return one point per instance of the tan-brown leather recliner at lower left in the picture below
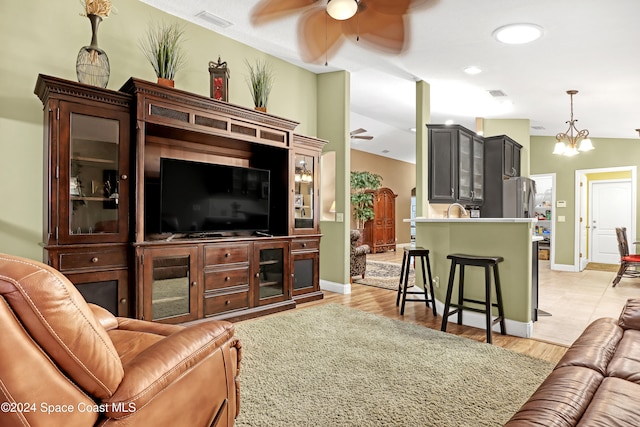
(64, 362)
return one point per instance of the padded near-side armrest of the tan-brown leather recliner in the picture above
(154, 370)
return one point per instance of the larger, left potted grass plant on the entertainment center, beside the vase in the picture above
(163, 49)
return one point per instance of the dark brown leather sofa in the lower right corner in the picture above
(596, 383)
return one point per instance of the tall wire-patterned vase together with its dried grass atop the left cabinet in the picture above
(92, 63)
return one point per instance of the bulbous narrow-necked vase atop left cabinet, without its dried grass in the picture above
(92, 64)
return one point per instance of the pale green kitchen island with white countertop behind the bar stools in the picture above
(510, 238)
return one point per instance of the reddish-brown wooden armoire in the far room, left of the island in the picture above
(380, 232)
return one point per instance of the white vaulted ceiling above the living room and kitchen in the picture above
(588, 45)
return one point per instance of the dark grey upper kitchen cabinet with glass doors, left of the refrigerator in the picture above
(456, 165)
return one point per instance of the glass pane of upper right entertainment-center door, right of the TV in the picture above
(303, 202)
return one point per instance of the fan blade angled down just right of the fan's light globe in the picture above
(380, 31)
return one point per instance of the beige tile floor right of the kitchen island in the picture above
(576, 299)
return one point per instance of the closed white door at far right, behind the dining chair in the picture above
(610, 208)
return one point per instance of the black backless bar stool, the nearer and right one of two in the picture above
(478, 261)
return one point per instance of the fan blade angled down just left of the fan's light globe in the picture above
(319, 35)
